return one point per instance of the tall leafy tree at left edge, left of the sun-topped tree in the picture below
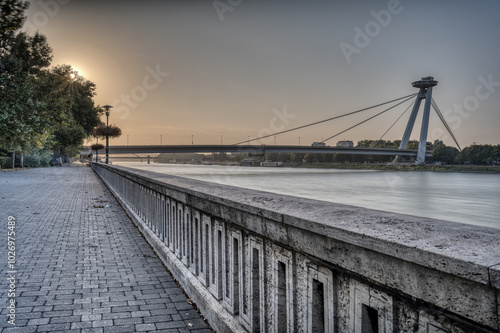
(26, 119)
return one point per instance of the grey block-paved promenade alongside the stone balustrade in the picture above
(81, 264)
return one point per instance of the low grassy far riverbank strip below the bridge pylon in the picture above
(401, 167)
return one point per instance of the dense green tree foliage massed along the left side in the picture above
(39, 107)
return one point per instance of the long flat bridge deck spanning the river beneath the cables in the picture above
(141, 151)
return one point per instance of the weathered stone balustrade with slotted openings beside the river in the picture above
(261, 262)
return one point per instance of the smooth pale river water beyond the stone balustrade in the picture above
(458, 197)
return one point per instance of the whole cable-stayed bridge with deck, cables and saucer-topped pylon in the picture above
(424, 85)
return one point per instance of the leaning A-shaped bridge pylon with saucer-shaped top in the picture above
(425, 85)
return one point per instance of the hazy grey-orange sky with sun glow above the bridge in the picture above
(240, 68)
